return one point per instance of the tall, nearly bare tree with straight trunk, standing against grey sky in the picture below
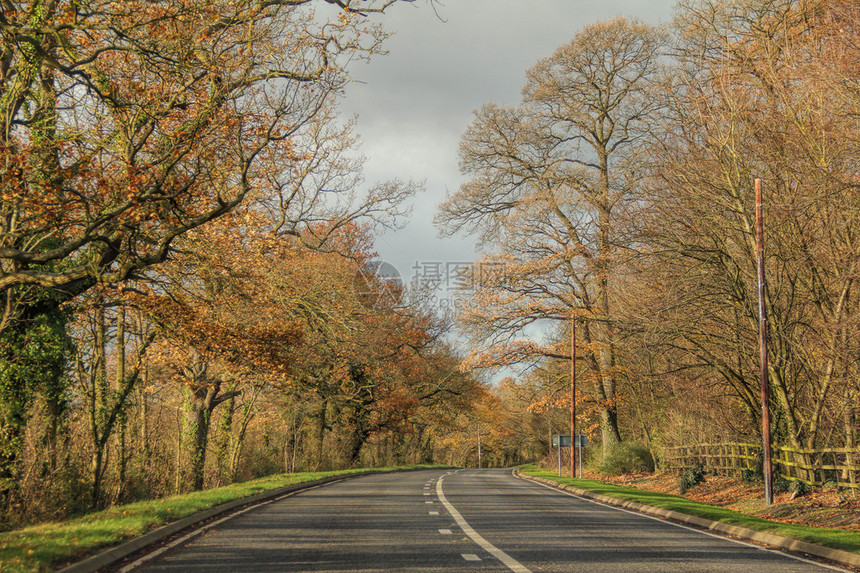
(553, 187)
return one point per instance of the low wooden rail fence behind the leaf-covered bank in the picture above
(812, 466)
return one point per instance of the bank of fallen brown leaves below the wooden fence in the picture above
(818, 508)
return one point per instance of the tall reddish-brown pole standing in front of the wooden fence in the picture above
(767, 464)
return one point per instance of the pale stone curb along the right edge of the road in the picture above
(770, 539)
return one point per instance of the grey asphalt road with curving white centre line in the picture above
(456, 521)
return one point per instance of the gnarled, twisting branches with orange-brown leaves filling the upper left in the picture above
(124, 125)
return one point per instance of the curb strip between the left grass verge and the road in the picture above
(111, 556)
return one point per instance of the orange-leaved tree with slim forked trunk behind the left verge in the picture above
(232, 309)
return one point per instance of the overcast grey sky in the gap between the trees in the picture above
(414, 103)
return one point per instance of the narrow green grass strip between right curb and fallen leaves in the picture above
(835, 538)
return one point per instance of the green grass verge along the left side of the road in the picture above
(47, 546)
